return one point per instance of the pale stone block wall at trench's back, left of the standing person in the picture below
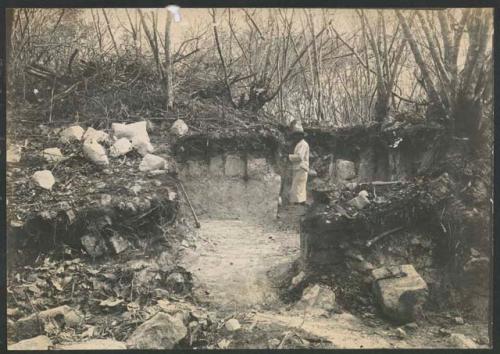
(229, 186)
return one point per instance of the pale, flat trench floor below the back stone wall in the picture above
(232, 259)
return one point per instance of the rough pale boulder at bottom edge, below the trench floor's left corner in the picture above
(162, 331)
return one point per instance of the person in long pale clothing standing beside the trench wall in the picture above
(300, 166)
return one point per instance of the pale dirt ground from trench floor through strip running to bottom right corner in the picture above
(232, 262)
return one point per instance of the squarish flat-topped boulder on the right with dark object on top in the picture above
(400, 292)
